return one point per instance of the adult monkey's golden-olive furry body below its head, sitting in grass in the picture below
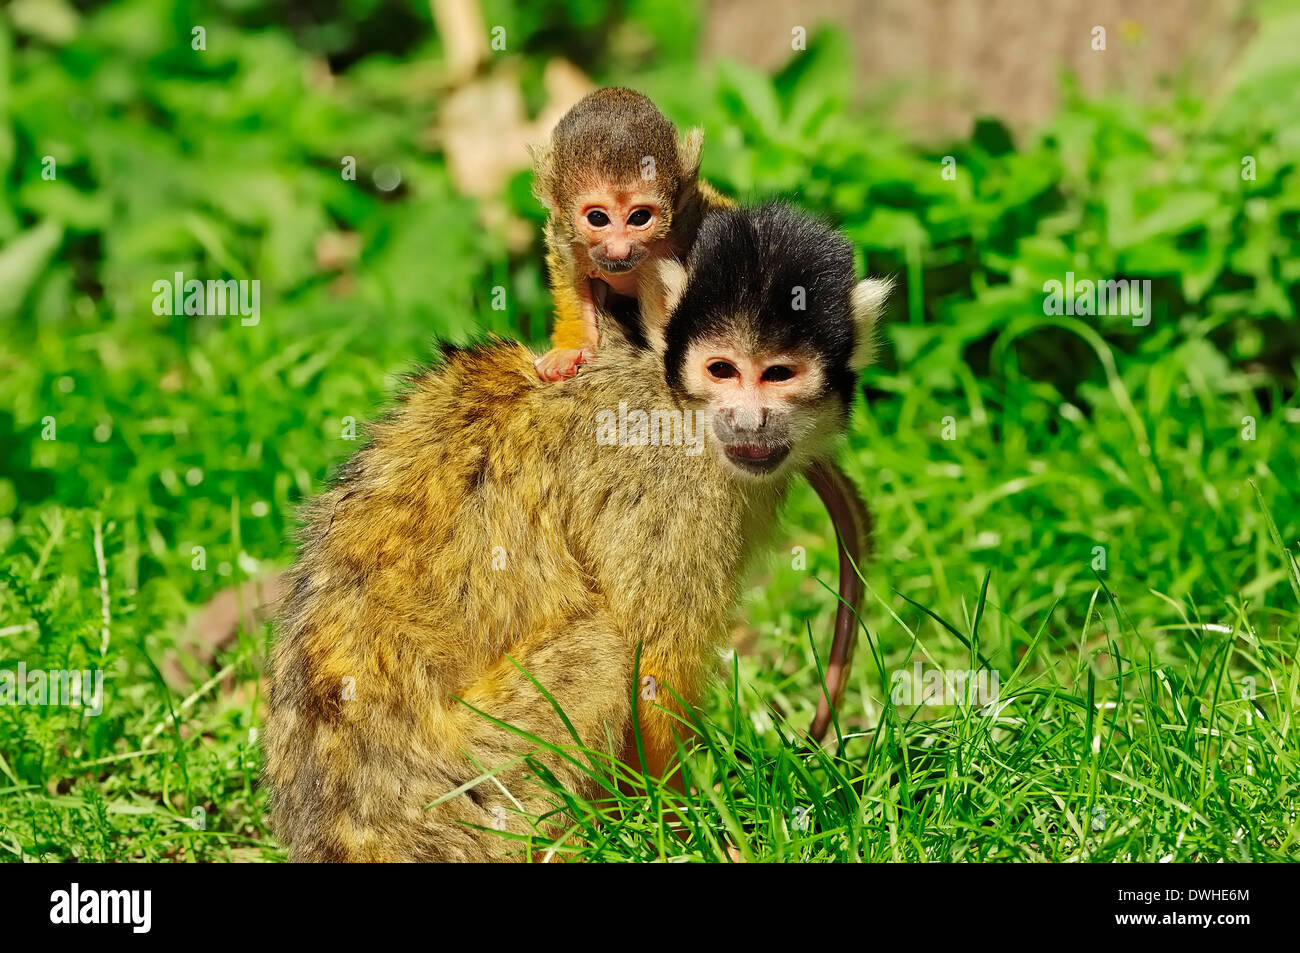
(484, 523)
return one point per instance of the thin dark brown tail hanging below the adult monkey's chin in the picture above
(852, 521)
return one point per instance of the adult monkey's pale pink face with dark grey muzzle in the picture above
(766, 409)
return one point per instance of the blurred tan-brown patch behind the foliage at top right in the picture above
(938, 64)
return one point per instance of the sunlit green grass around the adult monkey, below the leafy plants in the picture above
(1123, 691)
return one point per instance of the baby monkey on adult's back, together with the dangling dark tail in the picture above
(625, 193)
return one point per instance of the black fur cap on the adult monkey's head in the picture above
(769, 275)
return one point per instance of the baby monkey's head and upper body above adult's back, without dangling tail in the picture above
(623, 192)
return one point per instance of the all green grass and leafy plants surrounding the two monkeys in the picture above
(149, 462)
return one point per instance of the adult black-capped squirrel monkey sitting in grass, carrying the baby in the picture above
(461, 568)
